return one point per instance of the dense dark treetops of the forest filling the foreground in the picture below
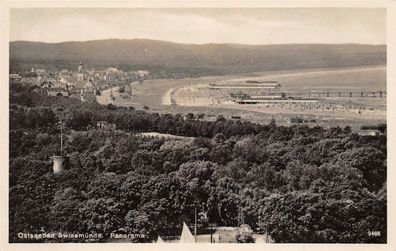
(298, 184)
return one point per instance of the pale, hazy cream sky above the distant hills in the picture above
(202, 26)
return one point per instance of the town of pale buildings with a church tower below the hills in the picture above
(83, 83)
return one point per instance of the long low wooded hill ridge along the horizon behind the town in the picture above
(215, 58)
